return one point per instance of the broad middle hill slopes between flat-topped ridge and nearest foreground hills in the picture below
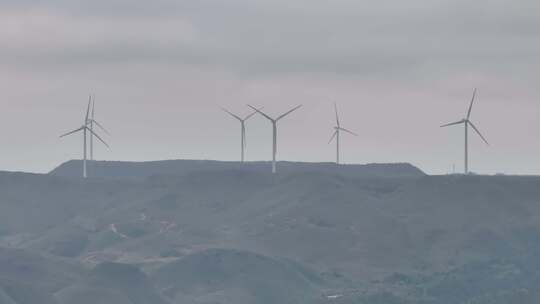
(361, 226)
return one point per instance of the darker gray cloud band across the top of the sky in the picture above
(259, 36)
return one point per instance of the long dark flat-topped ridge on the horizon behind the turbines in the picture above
(142, 170)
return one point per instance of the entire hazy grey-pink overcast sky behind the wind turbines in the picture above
(161, 69)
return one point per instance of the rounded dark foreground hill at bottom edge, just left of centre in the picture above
(232, 276)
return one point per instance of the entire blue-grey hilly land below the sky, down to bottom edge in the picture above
(222, 234)
